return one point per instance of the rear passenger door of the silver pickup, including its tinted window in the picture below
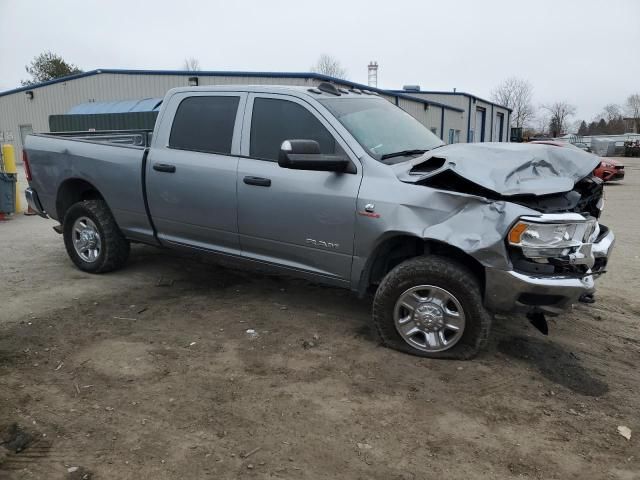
(191, 170)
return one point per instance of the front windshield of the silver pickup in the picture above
(380, 127)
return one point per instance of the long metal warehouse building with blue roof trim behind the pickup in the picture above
(453, 117)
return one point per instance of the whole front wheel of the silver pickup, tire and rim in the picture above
(432, 307)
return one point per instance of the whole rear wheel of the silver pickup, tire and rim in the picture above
(92, 238)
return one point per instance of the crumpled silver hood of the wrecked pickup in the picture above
(504, 168)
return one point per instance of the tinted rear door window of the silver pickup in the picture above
(204, 124)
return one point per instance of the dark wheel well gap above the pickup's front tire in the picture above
(396, 250)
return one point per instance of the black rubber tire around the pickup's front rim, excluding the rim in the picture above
(440, 272)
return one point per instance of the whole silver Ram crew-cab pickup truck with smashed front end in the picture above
(341, 187)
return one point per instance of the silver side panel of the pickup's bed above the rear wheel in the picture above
(111, 162)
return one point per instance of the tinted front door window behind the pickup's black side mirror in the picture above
(274, 121)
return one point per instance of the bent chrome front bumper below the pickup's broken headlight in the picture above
(510, 291)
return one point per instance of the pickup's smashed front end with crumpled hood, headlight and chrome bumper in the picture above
(554, 253)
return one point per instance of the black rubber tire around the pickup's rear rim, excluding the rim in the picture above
(114, 250)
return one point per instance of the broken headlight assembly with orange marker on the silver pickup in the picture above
(555, 236)
